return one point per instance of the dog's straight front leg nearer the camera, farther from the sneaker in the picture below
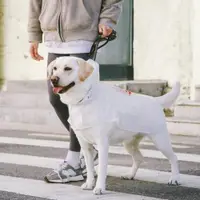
(103, 147)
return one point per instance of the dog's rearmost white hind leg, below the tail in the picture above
(163, 143)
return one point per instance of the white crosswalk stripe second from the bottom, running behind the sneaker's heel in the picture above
(118, 171)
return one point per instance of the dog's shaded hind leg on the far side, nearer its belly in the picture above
(132, 148)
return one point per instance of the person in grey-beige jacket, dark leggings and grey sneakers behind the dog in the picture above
(69, 28)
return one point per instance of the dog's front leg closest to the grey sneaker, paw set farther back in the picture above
(87, 150)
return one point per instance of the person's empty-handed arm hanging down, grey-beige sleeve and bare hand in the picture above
(34, 29)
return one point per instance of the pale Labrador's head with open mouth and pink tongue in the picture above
(65, 72)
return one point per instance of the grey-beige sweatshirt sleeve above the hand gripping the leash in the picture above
(110, 12)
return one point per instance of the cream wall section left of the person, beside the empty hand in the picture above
(18, 64)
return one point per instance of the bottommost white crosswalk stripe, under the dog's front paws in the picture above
(58, 192)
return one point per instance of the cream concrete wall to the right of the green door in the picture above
(166, 44)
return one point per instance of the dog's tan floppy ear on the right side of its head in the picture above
(85, 69)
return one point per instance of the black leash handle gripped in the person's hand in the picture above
(95, 46)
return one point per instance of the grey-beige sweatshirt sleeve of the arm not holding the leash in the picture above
(34, 29)
